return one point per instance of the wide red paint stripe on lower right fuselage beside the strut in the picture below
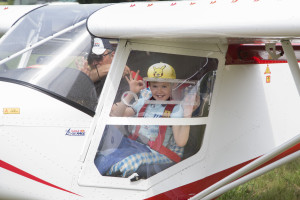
(189, 190)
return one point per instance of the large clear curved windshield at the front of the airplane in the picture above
(45, 50)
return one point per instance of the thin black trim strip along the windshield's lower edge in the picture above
(52, 94)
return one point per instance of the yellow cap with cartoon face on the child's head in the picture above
(161, 70)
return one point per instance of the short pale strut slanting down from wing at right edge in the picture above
(293, 63)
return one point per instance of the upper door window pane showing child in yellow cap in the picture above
(166, 79)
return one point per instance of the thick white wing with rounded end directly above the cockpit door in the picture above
(230, 20)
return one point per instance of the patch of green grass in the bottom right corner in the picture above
(282, 183)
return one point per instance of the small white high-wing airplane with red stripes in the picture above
(239, 58)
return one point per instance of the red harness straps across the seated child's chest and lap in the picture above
(157, 145)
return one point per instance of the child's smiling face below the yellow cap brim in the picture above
(161, 90)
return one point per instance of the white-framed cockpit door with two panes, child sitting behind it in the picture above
(196, 67)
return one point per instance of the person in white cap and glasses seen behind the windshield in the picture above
(99, 61)
